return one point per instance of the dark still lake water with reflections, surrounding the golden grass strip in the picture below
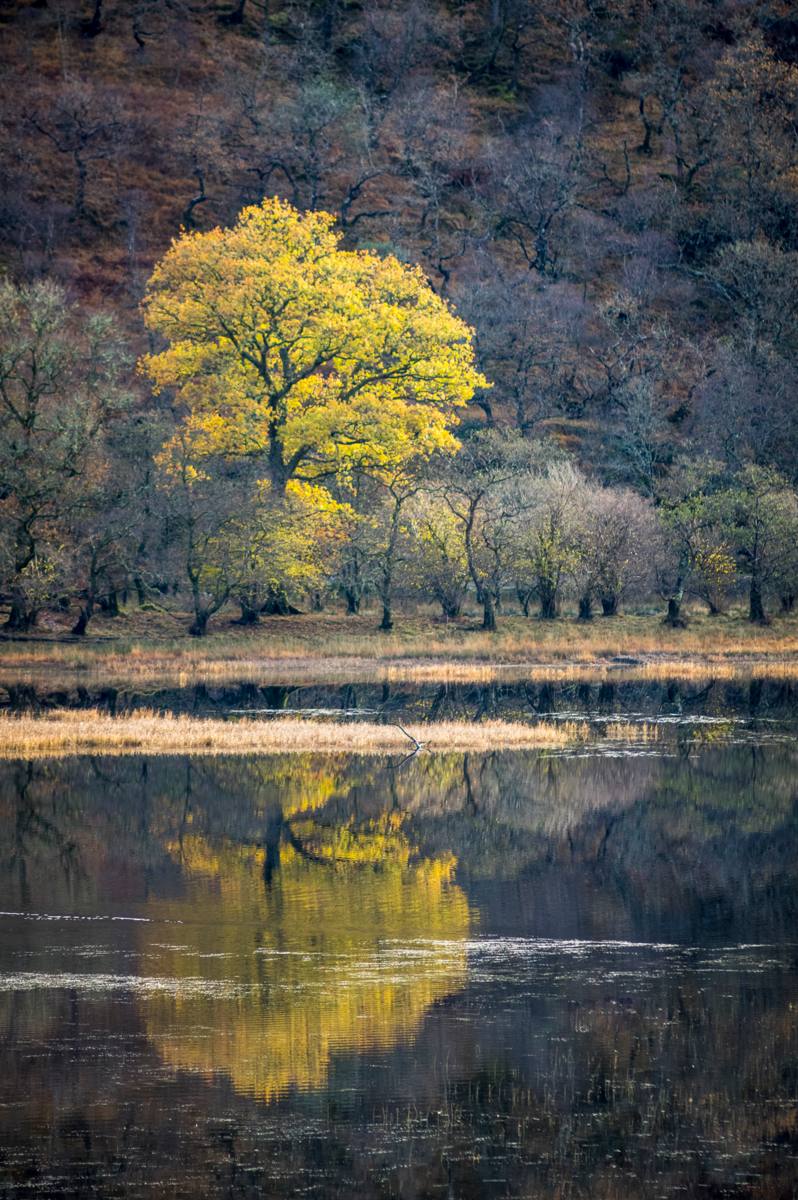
(511, 975)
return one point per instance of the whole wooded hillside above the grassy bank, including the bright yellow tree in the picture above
(603, 201)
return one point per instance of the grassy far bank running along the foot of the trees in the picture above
(147, 647)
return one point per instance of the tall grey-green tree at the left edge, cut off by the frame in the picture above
(61, 391)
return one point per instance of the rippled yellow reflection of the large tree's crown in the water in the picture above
(334, 957)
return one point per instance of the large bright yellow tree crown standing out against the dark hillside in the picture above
(313, 359)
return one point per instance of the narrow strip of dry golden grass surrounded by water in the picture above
(65, 733)
